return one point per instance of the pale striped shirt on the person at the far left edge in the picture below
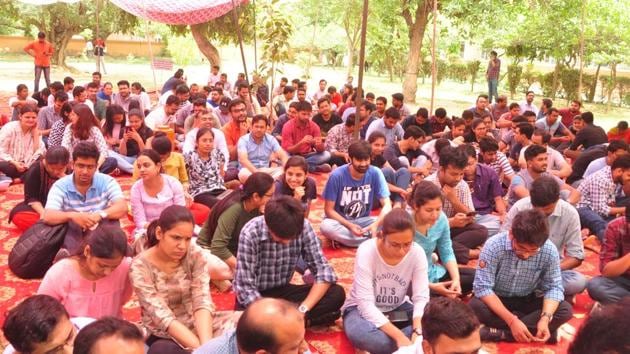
(15, 145)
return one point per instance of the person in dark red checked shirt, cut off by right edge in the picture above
(614, 263)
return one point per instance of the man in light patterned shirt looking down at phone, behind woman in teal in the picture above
(467, 235)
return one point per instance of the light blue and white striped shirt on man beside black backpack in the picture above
(64, 196)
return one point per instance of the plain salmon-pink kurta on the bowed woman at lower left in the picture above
(86, 298)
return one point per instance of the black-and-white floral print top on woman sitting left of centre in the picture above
(204, 175)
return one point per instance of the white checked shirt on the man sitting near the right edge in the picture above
(598, 192)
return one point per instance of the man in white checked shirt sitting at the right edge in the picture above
(597, 206)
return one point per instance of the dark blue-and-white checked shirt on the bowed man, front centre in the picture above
(263, 263)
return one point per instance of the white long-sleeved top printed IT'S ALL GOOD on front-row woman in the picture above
(379, 287)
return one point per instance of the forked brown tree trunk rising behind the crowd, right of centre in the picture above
(416, 34)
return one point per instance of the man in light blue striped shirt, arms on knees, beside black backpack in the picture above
(84, 198)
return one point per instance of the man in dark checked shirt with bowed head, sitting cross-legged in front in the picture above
(269, 249)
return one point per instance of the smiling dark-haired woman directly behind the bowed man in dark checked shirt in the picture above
(296, 183)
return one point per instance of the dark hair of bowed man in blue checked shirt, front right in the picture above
(530, 227)
